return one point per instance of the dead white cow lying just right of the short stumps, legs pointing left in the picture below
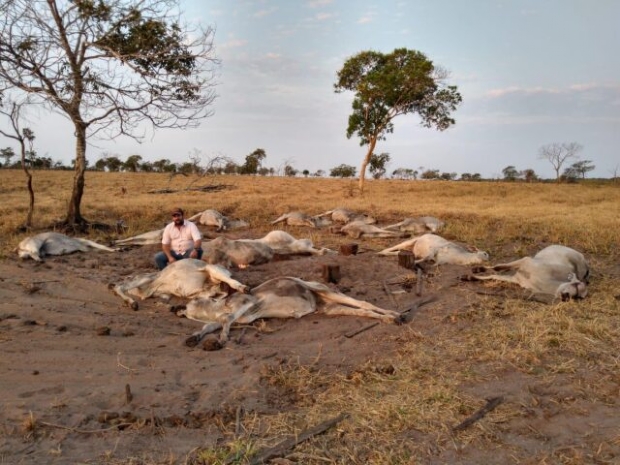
(432, 248)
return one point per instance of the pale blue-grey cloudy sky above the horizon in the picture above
(531, 72)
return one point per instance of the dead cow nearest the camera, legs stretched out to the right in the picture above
(284, 297)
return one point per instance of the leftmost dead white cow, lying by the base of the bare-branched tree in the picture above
(52, 243)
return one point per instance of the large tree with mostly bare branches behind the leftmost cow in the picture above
(108, 66)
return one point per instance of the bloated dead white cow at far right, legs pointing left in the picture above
(557, 271)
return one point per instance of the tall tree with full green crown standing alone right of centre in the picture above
(388, 85)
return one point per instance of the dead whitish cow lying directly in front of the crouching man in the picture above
(184, 278)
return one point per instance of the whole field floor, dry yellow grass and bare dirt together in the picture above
(554, 368)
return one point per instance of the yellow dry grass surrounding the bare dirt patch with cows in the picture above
(402, 410)
